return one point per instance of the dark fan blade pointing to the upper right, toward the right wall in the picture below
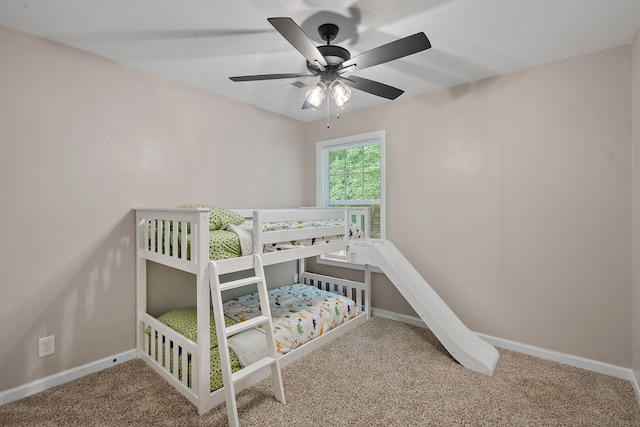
(388, 52)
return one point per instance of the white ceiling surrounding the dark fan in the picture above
(203, 42)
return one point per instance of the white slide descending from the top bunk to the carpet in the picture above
(465, 346)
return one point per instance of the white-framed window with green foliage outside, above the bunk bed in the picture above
(350, 171)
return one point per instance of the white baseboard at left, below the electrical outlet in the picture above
(64, 377)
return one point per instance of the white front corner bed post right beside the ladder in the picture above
(202, 373)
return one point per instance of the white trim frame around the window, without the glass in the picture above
(322, 179)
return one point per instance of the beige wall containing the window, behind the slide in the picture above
(512, 197)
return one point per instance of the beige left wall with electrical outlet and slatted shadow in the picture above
(84, 140)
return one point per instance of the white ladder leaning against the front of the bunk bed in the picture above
(223, 332)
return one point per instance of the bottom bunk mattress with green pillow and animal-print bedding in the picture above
(299, 313)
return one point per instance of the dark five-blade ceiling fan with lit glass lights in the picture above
(333, 64)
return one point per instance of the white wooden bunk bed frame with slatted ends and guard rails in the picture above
(179, 238)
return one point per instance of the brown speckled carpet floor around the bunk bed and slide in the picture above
(384, 373)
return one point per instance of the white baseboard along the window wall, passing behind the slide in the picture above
(567, 359)
